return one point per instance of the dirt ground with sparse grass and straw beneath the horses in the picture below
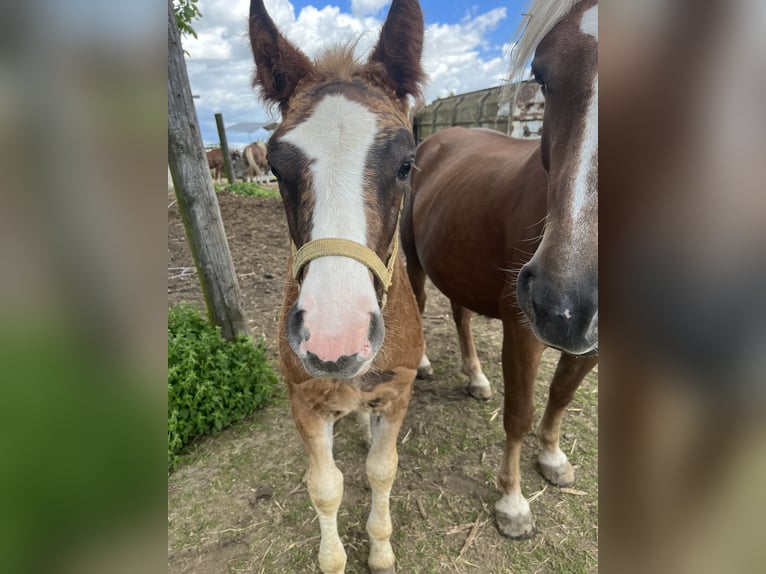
(237, 503)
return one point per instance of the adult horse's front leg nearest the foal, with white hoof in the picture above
(521, 358)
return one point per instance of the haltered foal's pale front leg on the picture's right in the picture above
(382, 461)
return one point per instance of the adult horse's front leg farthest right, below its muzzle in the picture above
(553, 463)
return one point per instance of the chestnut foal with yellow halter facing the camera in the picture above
(351, 336)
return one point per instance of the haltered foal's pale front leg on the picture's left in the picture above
(325, 484)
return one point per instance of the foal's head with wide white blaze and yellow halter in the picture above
(342, 156)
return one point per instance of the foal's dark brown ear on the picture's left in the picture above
(279, 65)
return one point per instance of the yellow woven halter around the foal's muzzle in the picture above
(335, 246)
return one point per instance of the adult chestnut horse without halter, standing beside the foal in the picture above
(479, 204)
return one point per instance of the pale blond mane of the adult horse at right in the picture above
(537, 21)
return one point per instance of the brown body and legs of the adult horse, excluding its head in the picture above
(473, 218)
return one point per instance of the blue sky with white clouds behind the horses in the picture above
(465, 49)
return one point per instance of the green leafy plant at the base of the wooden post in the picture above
(211, 382)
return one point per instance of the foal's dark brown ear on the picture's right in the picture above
(400, 47)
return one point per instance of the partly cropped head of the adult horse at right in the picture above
(558, 288)
